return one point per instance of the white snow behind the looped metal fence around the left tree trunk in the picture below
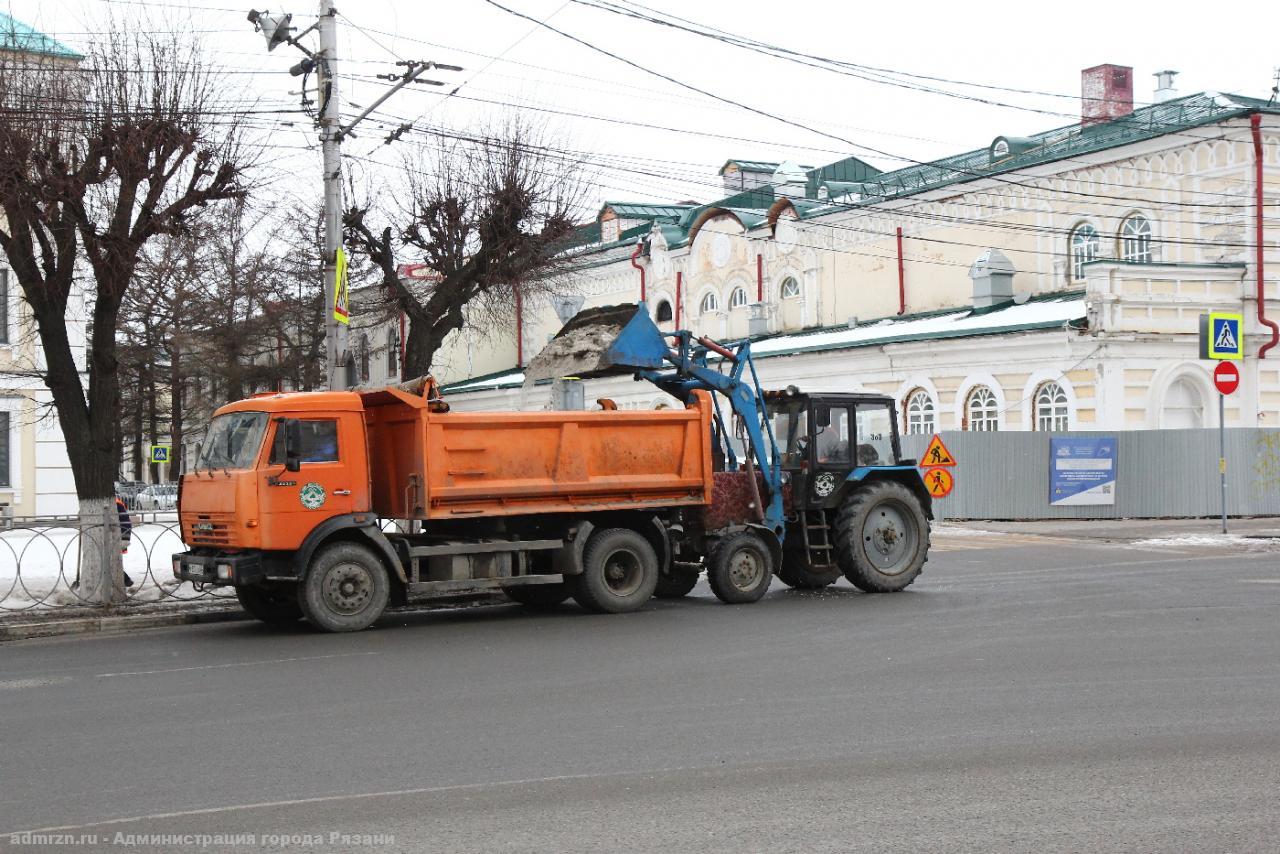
(39, 565)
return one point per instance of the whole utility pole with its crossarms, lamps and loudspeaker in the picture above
(278, 31)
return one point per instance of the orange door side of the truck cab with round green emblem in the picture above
(332, 479)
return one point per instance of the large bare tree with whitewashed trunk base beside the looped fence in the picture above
(95, 162)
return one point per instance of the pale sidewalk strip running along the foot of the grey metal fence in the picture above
(1126, 531)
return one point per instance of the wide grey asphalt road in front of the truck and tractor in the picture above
(1027, 695)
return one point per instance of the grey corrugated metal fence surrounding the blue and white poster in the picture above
(1158, 474)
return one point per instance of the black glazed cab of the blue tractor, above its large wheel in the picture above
(829, 440)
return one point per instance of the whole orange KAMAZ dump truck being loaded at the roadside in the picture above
(290, 499)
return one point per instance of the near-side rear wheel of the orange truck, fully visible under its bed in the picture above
(620, 572)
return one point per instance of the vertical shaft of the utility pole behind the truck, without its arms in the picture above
(331, 148)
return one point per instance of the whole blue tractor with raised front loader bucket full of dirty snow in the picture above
(810, 486)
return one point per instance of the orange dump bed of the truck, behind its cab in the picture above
(459, 465)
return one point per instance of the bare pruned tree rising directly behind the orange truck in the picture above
(490, 214)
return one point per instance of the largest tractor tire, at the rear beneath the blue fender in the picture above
(883, 538)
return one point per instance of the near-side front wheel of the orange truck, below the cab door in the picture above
(346, 588)
